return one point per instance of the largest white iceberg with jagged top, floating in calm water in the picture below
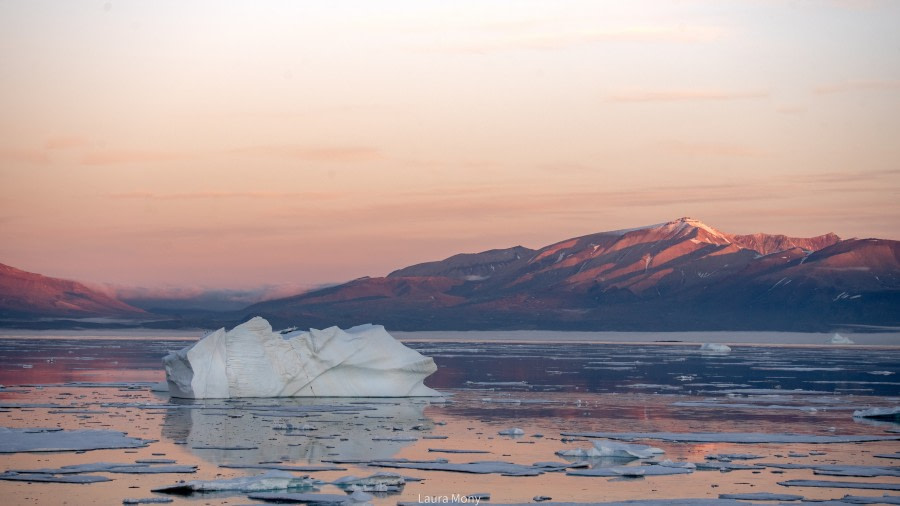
(253, 361)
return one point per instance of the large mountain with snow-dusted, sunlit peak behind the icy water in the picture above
(680, 275)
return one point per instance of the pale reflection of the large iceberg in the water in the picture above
(296, 430)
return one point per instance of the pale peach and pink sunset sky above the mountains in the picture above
(183, 145)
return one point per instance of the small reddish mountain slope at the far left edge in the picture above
(26, 295)
